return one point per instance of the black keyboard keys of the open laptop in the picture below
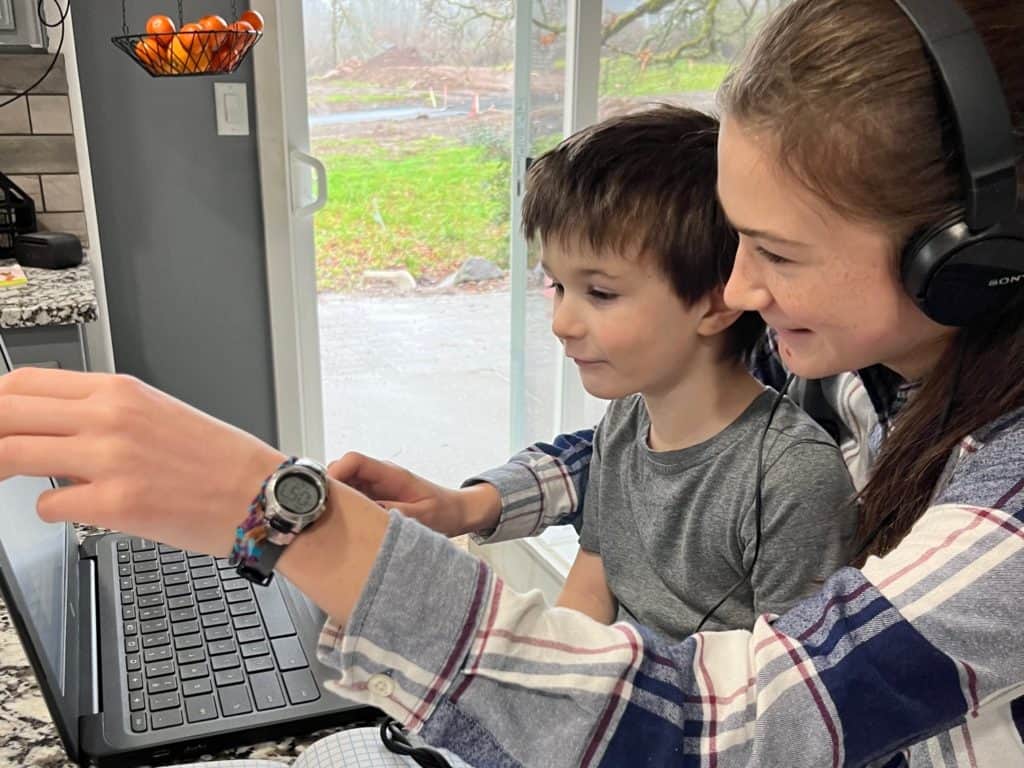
(202, 644)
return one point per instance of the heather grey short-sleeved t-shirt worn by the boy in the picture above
(676, 530)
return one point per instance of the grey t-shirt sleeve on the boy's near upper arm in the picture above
(809, 524)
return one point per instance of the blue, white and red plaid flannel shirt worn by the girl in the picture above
(913, 660)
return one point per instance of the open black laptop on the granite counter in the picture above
(147, 654)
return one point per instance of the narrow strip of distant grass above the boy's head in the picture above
(624, 77)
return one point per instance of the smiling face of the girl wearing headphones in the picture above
(829, 286)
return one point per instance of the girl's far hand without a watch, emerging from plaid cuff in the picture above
(448, 511)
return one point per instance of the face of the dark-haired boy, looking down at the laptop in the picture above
(621, 321)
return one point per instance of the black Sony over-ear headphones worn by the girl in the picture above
(961, 271)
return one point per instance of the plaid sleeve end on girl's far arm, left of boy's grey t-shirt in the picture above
(540, 487)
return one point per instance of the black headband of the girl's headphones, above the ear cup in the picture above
(978, 106)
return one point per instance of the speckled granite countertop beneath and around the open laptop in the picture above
(29, 740)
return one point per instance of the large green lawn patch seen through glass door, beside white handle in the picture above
(425, 207)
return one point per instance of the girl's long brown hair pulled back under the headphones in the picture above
(847, 90)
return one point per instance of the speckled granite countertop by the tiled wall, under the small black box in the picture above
(53, 297)
